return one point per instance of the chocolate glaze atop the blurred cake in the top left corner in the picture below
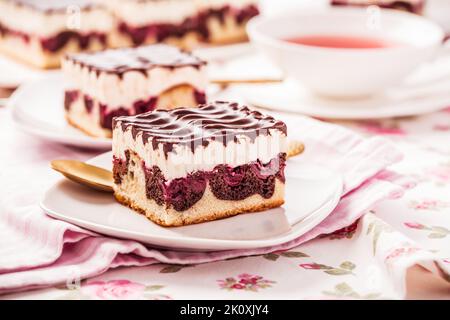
(52, 6)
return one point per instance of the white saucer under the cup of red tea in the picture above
(425, 91)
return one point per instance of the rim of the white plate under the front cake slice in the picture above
(201, 244)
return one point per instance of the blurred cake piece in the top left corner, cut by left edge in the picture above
(41, 32)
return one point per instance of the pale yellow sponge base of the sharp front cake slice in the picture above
(131, 192)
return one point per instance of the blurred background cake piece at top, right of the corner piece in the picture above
(180, 22)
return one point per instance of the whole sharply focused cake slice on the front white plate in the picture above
(191, 165)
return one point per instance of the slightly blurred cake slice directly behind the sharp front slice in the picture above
(123, 82)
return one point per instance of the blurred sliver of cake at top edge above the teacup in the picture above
(414, 6)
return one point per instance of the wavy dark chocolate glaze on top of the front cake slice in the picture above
(218, 121)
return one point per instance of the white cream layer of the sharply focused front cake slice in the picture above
(181, 160)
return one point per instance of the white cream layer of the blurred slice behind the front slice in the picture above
(116, 91)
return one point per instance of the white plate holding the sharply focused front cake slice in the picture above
(311, 195)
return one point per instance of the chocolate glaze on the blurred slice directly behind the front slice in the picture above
(119, 61)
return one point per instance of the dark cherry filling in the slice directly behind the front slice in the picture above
(106, 115)
